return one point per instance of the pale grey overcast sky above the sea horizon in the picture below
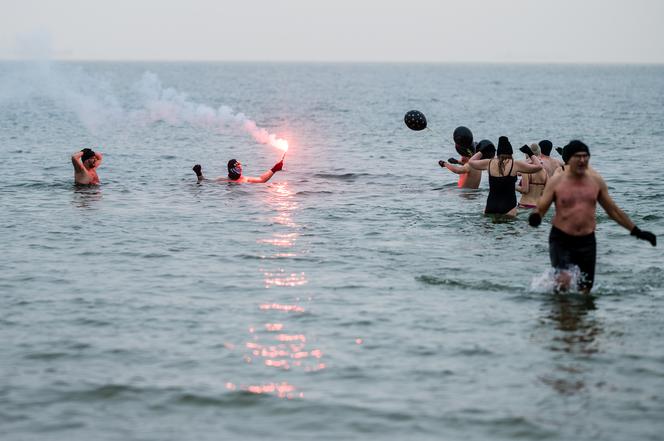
(587, 31)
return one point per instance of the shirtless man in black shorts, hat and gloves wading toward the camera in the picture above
(576, 192)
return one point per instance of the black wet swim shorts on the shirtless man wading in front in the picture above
(566, 250)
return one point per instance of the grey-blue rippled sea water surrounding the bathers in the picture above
(357, 295)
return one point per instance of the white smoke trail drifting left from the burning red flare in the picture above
(92, 100)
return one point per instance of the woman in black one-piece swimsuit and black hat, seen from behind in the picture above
(502, 177)
